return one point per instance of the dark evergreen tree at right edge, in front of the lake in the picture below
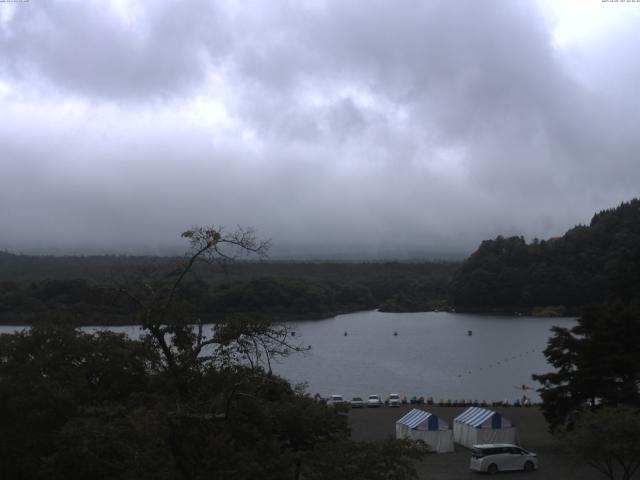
(597, 362)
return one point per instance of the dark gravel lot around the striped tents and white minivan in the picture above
(377, 423)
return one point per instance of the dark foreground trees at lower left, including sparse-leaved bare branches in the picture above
(182, 403)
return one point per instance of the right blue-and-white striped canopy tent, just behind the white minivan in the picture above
(478, 425)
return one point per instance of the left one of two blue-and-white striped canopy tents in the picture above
(425, 426)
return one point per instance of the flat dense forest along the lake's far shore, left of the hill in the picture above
(90, 288)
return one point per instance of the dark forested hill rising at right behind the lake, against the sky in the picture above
(586, 265)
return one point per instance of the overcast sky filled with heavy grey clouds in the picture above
(393, 128)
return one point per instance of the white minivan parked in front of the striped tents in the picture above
(498, 457)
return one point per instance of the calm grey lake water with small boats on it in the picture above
(432, 355)
